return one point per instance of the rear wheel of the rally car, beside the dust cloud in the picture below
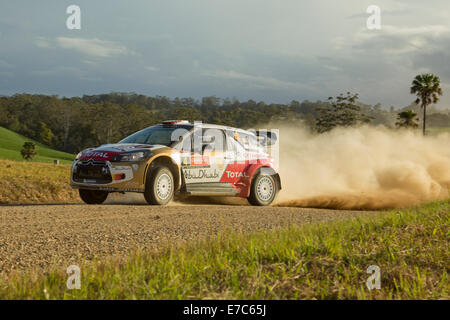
(263, 191)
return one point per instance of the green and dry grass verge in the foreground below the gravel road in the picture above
(315, 261)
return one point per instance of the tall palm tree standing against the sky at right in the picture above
(427, 88)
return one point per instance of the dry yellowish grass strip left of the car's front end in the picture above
(24, 182)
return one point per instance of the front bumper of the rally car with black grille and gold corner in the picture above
(108, 176)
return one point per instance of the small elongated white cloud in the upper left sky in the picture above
(92, 47)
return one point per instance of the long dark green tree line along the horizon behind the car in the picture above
(72, 124)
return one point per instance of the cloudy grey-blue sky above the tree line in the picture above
(267, 50)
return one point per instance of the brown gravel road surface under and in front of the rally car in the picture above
(35, 237)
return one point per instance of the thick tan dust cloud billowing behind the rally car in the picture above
(362, 168)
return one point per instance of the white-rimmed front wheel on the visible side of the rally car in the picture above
(159, 187)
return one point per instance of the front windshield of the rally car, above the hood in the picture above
(157, 135)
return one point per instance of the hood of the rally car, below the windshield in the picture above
(108, 151)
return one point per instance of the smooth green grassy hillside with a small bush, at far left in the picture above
(11, 143)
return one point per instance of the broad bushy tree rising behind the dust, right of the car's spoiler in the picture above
(341, 111)
